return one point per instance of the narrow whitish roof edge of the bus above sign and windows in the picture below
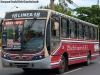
(59, 14)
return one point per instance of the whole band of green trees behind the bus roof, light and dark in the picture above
(89, 14)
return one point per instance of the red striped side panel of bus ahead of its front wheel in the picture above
(56, 55)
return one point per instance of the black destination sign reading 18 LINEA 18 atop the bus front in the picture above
(26, 14)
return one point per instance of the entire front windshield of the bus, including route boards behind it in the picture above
(28, 36)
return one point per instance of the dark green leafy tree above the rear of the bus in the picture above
(89, 14)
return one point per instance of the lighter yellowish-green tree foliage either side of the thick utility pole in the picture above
(58, 8)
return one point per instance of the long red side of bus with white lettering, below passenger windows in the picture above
(77, 55)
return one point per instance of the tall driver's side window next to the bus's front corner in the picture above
(55, 34)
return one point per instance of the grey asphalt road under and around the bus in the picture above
(78, 69)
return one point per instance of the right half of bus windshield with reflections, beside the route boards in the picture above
(33, 35)
